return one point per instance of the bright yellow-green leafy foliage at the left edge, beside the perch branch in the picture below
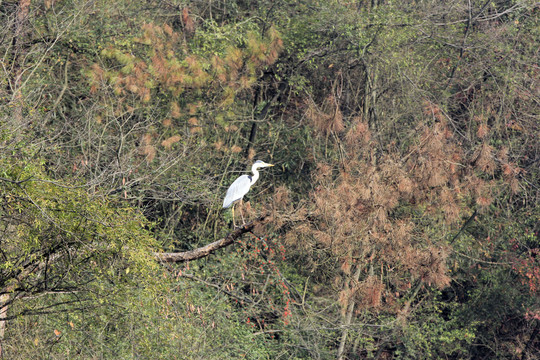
(60, 239)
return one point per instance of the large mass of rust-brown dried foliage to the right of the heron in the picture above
(371, 211)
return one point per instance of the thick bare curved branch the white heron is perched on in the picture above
(210, 248)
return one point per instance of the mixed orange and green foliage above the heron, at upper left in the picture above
(160, 68)
